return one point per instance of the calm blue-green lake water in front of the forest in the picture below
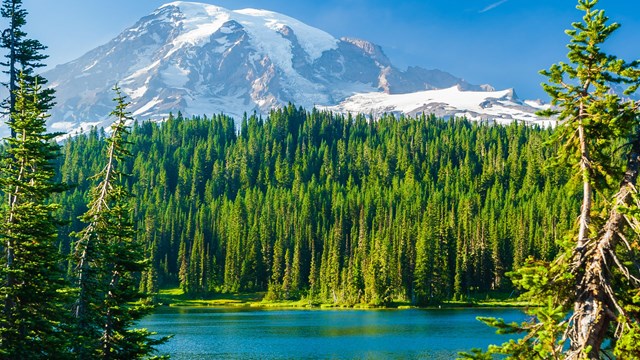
(209, 333)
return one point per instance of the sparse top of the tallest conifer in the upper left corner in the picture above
(24, 57)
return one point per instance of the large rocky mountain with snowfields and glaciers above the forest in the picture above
(203, 59)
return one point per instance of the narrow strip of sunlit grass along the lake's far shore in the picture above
(176, 297)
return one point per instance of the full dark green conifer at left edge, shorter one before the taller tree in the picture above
(32, 322)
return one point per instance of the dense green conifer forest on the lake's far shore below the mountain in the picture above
(334, 208)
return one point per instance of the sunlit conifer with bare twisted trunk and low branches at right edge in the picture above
(589, 292)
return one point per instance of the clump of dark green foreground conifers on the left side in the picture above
(35, 322)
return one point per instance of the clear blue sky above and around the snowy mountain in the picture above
(501, 42)
